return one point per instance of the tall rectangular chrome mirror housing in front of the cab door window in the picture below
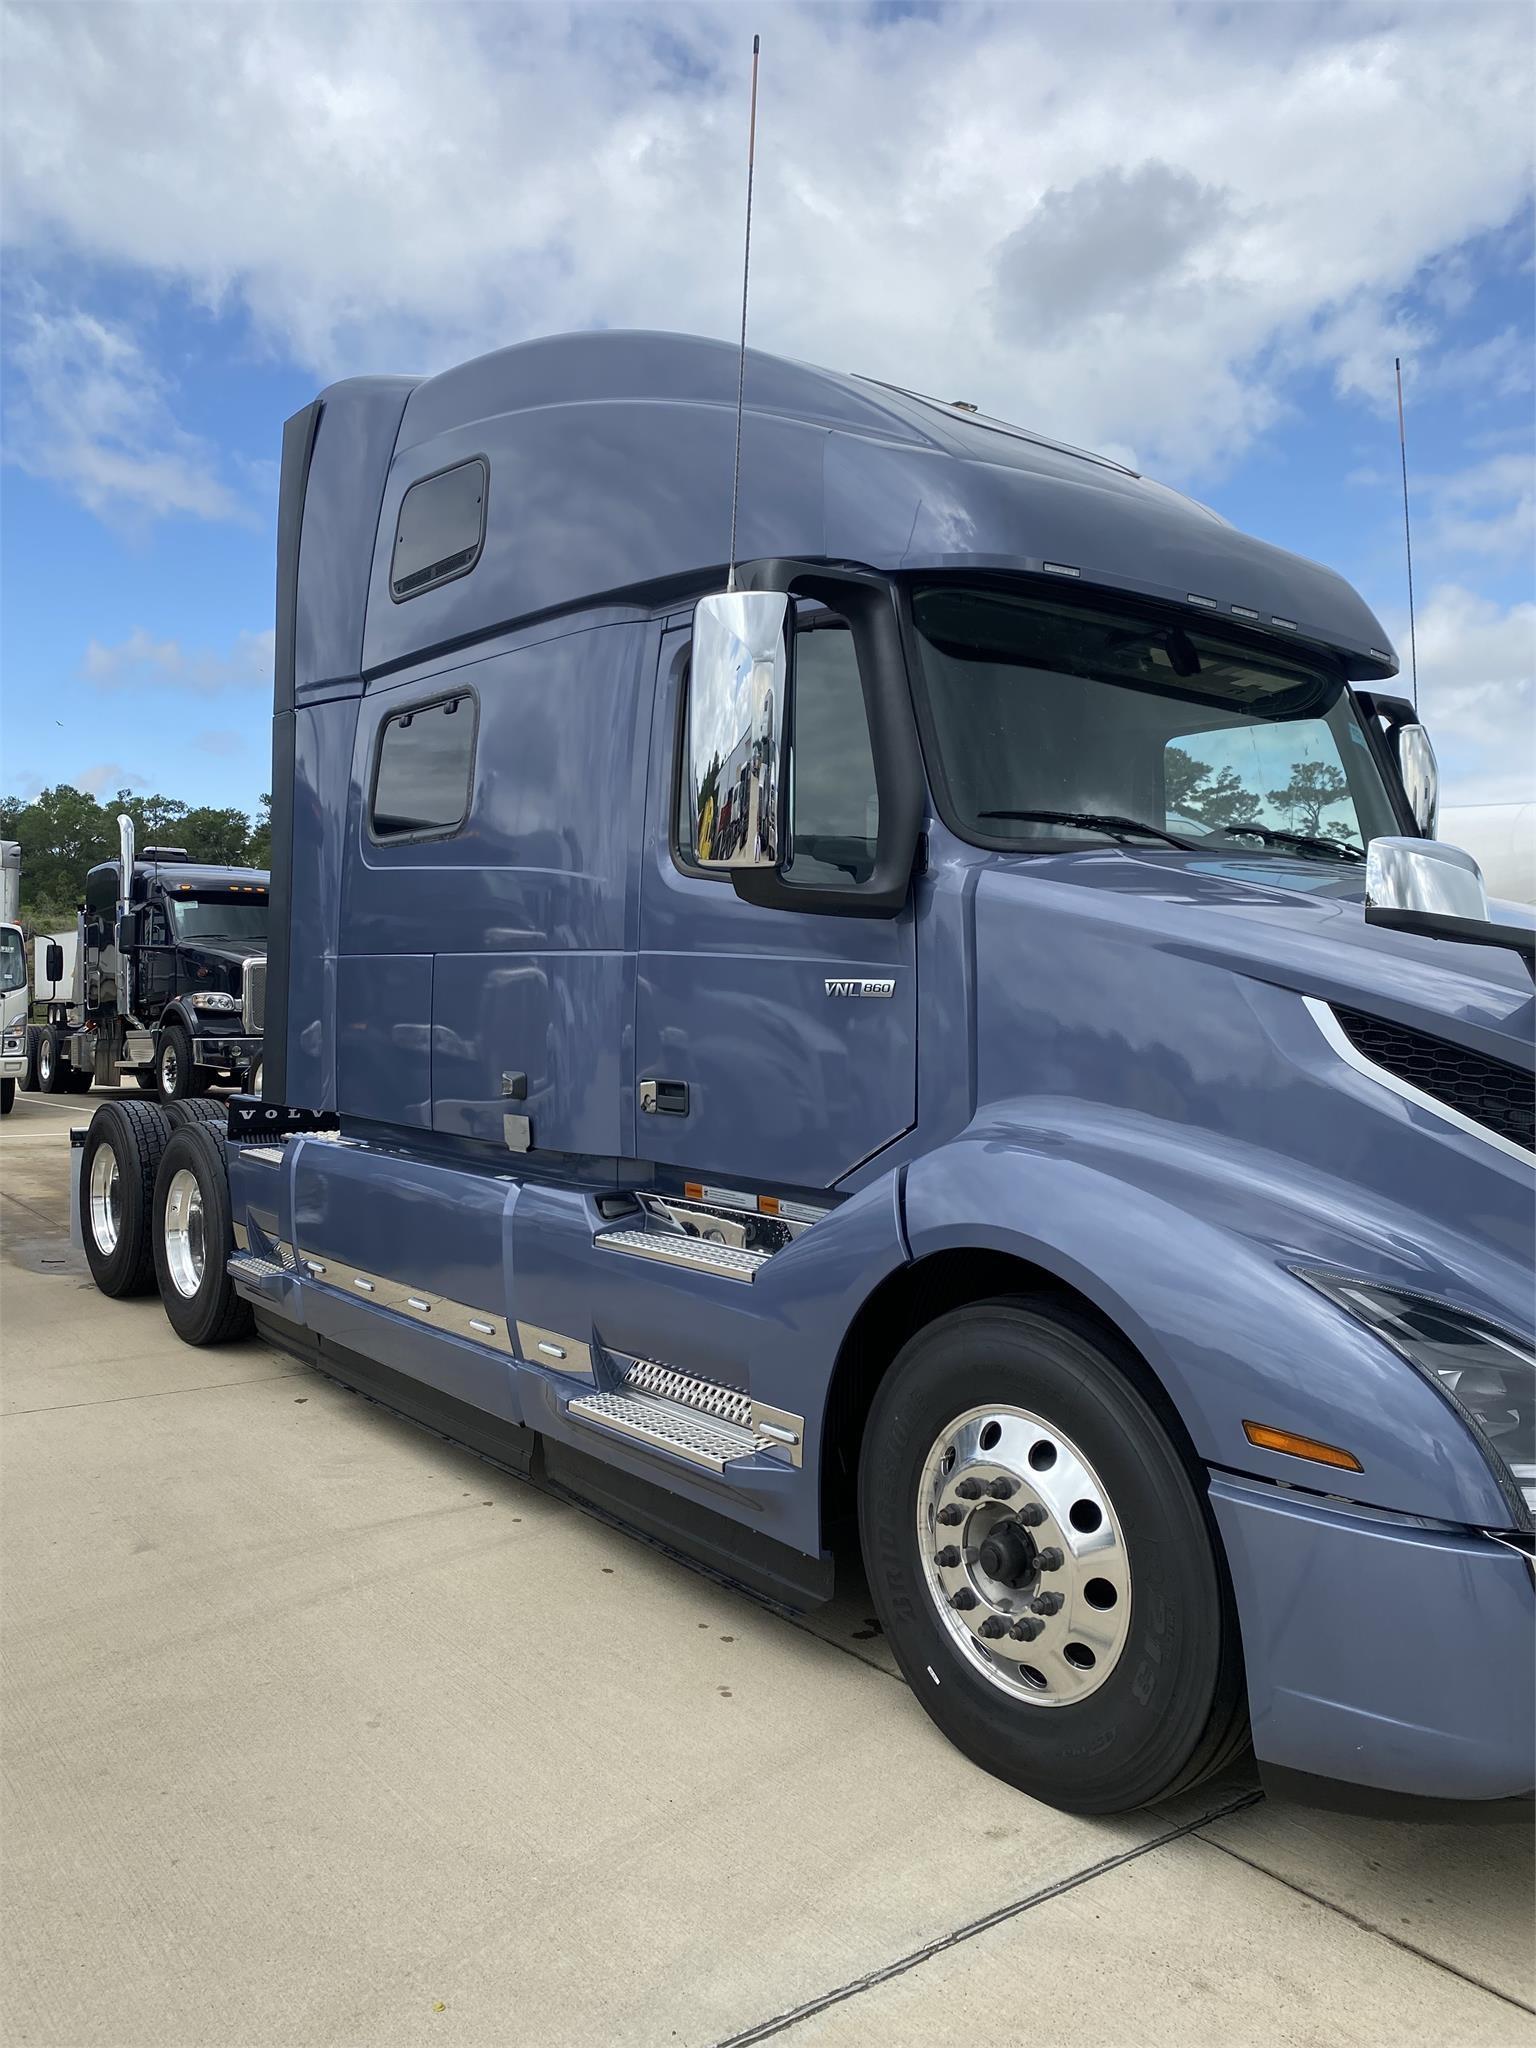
(738, 683)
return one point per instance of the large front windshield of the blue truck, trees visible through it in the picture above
(1072, 724)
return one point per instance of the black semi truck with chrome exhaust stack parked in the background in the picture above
(167, 986)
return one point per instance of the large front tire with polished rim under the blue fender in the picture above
(1103, 1519)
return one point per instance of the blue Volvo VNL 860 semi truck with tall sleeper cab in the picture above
(945, 1041)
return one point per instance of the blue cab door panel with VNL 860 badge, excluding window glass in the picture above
(773, 1046)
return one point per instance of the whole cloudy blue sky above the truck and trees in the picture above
(1193, 237)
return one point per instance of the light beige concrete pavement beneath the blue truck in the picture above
(321, 1732)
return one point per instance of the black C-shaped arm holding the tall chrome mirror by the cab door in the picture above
(869, 605)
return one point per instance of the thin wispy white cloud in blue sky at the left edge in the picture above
(89, 411)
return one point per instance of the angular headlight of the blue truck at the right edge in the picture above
(1484, 1371)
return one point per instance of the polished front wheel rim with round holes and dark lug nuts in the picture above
(1023, 1555)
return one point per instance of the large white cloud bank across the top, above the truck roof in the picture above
(1125, 224)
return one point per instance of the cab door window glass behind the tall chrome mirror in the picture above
(833, 802)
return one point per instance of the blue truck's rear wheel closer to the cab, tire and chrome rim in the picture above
(194, 1238)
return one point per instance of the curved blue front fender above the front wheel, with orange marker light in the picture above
(1185, 1242)
